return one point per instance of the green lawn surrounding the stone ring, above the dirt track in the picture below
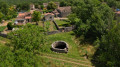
(67, 37)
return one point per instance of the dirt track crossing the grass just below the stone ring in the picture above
(80, 62)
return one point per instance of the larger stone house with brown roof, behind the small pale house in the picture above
(62, 11)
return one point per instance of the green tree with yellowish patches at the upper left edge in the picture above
(7, 11)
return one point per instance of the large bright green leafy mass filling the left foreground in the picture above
(24, 47)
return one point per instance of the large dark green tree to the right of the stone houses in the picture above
(95, 19)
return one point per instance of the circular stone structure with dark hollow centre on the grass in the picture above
(60, 47)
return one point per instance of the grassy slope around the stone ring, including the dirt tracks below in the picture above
(73, 55)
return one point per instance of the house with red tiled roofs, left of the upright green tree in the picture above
(23, 18)
